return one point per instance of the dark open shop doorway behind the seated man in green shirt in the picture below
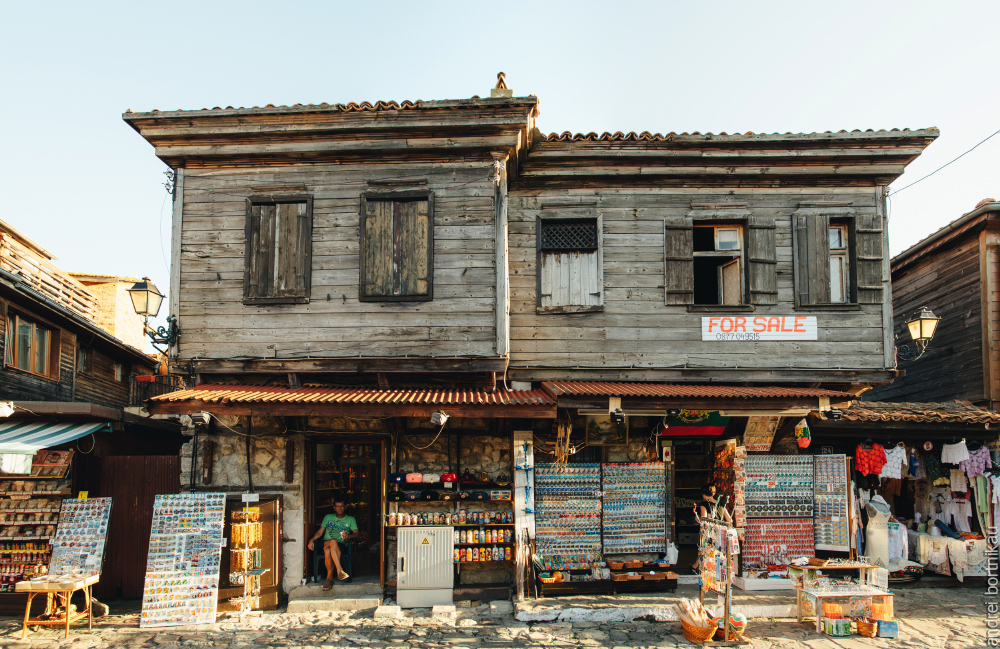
(353, 473)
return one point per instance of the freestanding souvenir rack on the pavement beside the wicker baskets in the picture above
(718, 549)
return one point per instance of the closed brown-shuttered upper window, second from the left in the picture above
(397, 248)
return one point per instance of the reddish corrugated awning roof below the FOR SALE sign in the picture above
(608, 389)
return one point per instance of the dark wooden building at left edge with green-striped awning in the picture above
(70, 383)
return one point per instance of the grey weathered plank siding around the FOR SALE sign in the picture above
(637, 330)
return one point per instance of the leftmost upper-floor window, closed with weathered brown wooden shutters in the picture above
(278, 251)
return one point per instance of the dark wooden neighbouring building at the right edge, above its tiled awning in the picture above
(955, 272)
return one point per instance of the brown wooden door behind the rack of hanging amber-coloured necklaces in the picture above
(270, 516)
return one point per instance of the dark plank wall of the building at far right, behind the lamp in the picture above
(952, 368)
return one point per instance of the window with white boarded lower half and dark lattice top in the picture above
(570, 273)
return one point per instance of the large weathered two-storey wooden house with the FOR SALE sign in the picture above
(342, 271)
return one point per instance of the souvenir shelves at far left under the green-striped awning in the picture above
(29, 514)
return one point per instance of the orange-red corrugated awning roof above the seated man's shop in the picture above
(231, 394)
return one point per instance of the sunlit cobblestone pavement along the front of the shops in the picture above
(929, 617)
